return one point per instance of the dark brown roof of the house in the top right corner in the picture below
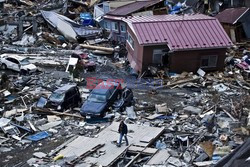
(231, 15)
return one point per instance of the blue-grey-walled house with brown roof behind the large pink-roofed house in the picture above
(112, 21)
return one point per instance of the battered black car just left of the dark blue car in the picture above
(65, 97)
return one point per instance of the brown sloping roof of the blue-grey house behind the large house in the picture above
(132, 7)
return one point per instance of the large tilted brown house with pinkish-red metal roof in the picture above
(179, 43)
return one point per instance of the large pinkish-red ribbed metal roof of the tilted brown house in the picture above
(180, 32)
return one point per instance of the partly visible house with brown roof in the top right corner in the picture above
(236, 22)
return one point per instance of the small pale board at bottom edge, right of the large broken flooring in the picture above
(159, 158)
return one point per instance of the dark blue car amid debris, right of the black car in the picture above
(100, 99)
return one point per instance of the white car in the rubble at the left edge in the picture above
(17, 63)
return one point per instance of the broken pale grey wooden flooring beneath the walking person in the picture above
(142, 136)
